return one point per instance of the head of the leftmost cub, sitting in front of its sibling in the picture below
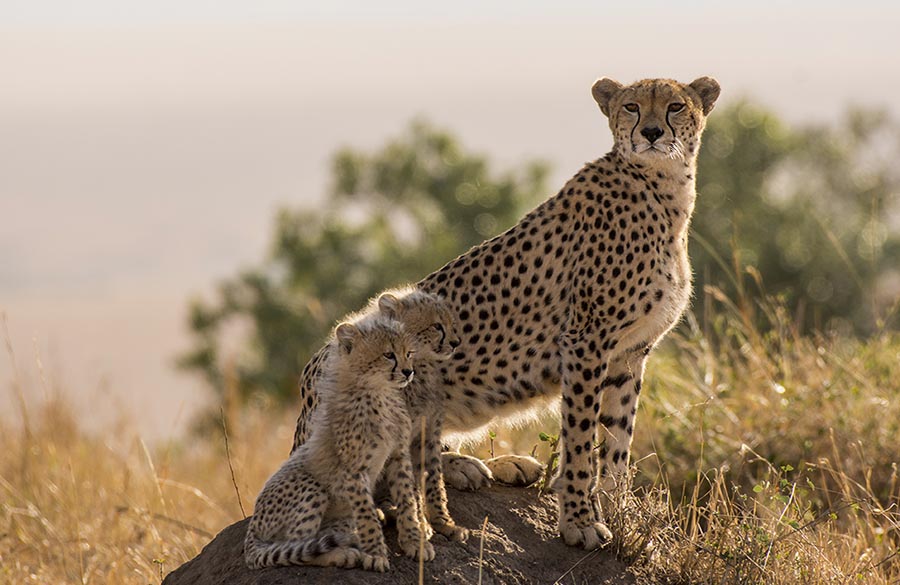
(376, 352)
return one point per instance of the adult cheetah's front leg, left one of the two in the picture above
(583, 372)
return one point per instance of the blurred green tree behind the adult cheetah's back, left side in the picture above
(392, 217)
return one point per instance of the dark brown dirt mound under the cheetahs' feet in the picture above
(520, 546)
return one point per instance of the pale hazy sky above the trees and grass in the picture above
(144, 147)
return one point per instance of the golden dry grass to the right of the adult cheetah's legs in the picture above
(772, 456)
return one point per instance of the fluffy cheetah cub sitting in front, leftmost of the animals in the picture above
(318, 508)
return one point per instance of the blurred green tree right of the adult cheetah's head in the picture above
(809, 209)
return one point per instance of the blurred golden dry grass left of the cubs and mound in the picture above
(78, 508)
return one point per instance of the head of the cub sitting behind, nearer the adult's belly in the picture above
(426, 317)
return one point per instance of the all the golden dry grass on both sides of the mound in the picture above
(762, 457)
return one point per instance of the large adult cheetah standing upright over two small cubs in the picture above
(576, 294)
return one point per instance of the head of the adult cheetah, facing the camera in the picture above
(656, 120)
